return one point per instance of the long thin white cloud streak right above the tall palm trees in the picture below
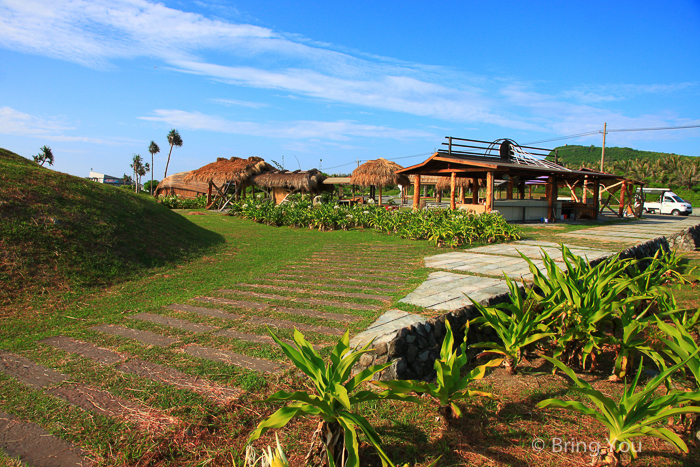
(298, 130)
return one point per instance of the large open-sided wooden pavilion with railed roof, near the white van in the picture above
(482, 162)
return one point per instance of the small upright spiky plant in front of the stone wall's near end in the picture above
(450, 386)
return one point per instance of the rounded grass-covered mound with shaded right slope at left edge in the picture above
(61, 233)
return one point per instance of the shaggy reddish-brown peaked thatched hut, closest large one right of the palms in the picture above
(227, 178)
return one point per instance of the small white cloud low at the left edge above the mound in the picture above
(16, 123)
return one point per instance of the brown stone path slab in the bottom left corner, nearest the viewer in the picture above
(37, 447)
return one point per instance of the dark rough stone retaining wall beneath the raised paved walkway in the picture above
(414, 349)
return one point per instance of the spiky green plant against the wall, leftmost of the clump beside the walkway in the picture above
(518, 324)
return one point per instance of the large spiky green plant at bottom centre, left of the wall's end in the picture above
(335, 395)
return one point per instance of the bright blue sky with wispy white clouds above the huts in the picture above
(328, 83)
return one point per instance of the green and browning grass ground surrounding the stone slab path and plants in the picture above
(206, 433)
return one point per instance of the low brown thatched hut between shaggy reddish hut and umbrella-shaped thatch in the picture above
(281, 183)
